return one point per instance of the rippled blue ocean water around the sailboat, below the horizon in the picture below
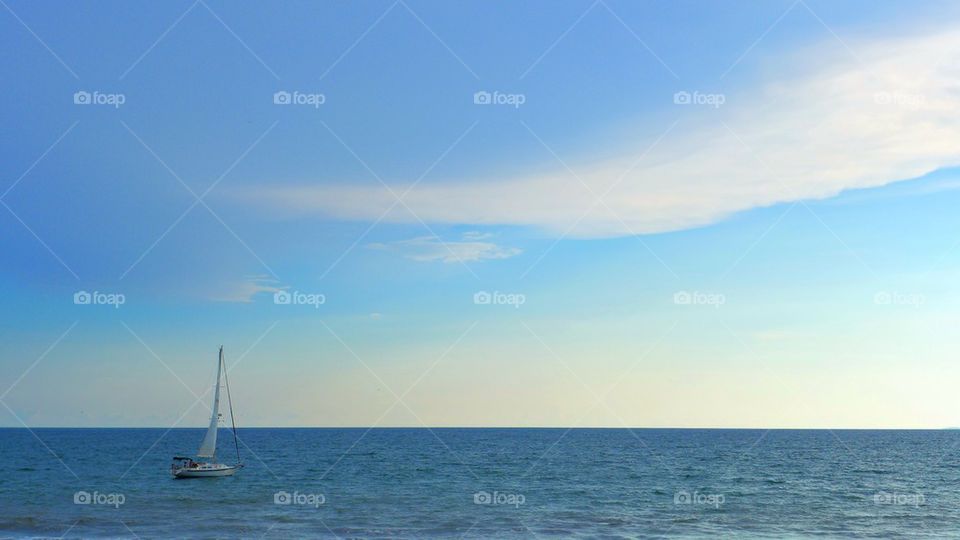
(485, 483)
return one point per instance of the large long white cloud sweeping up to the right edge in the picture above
(823, 123)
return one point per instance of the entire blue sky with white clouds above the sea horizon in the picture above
(606, 213)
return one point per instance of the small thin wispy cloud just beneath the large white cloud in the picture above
(471, 247)
